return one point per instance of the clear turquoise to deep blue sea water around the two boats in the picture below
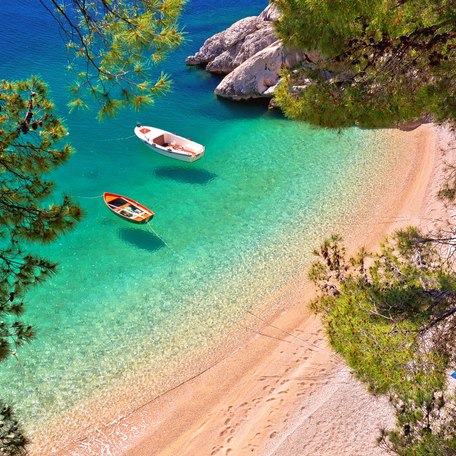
(136, 303)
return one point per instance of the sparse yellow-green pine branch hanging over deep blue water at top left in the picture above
(113, 46)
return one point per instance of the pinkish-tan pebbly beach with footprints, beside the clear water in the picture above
(282, 392)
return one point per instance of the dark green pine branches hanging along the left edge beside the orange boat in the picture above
(30, 146)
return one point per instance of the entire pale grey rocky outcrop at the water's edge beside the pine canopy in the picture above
(251, 55)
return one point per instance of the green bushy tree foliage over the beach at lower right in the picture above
(392, 316)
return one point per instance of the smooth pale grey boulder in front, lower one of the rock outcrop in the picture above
(259, 75)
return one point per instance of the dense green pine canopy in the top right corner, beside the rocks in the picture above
(380, 62)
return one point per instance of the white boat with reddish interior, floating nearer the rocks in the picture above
(169, 144)
